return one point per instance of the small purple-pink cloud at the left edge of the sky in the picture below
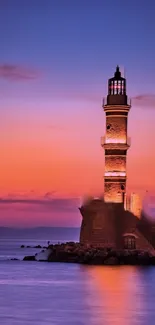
(17, 73)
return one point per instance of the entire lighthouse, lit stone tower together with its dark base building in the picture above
(106, 222)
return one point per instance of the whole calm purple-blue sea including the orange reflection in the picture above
(42, 293)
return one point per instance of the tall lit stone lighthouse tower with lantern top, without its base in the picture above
(116, 142)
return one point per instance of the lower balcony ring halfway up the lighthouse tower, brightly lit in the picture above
(115, 143)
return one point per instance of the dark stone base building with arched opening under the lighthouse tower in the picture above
(109, 225)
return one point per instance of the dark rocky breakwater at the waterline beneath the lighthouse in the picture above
(76, 253)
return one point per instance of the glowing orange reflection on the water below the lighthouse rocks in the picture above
(118, 297)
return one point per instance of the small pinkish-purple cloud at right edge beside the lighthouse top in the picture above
(145, 100)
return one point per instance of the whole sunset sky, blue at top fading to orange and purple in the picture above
(55, 59)
